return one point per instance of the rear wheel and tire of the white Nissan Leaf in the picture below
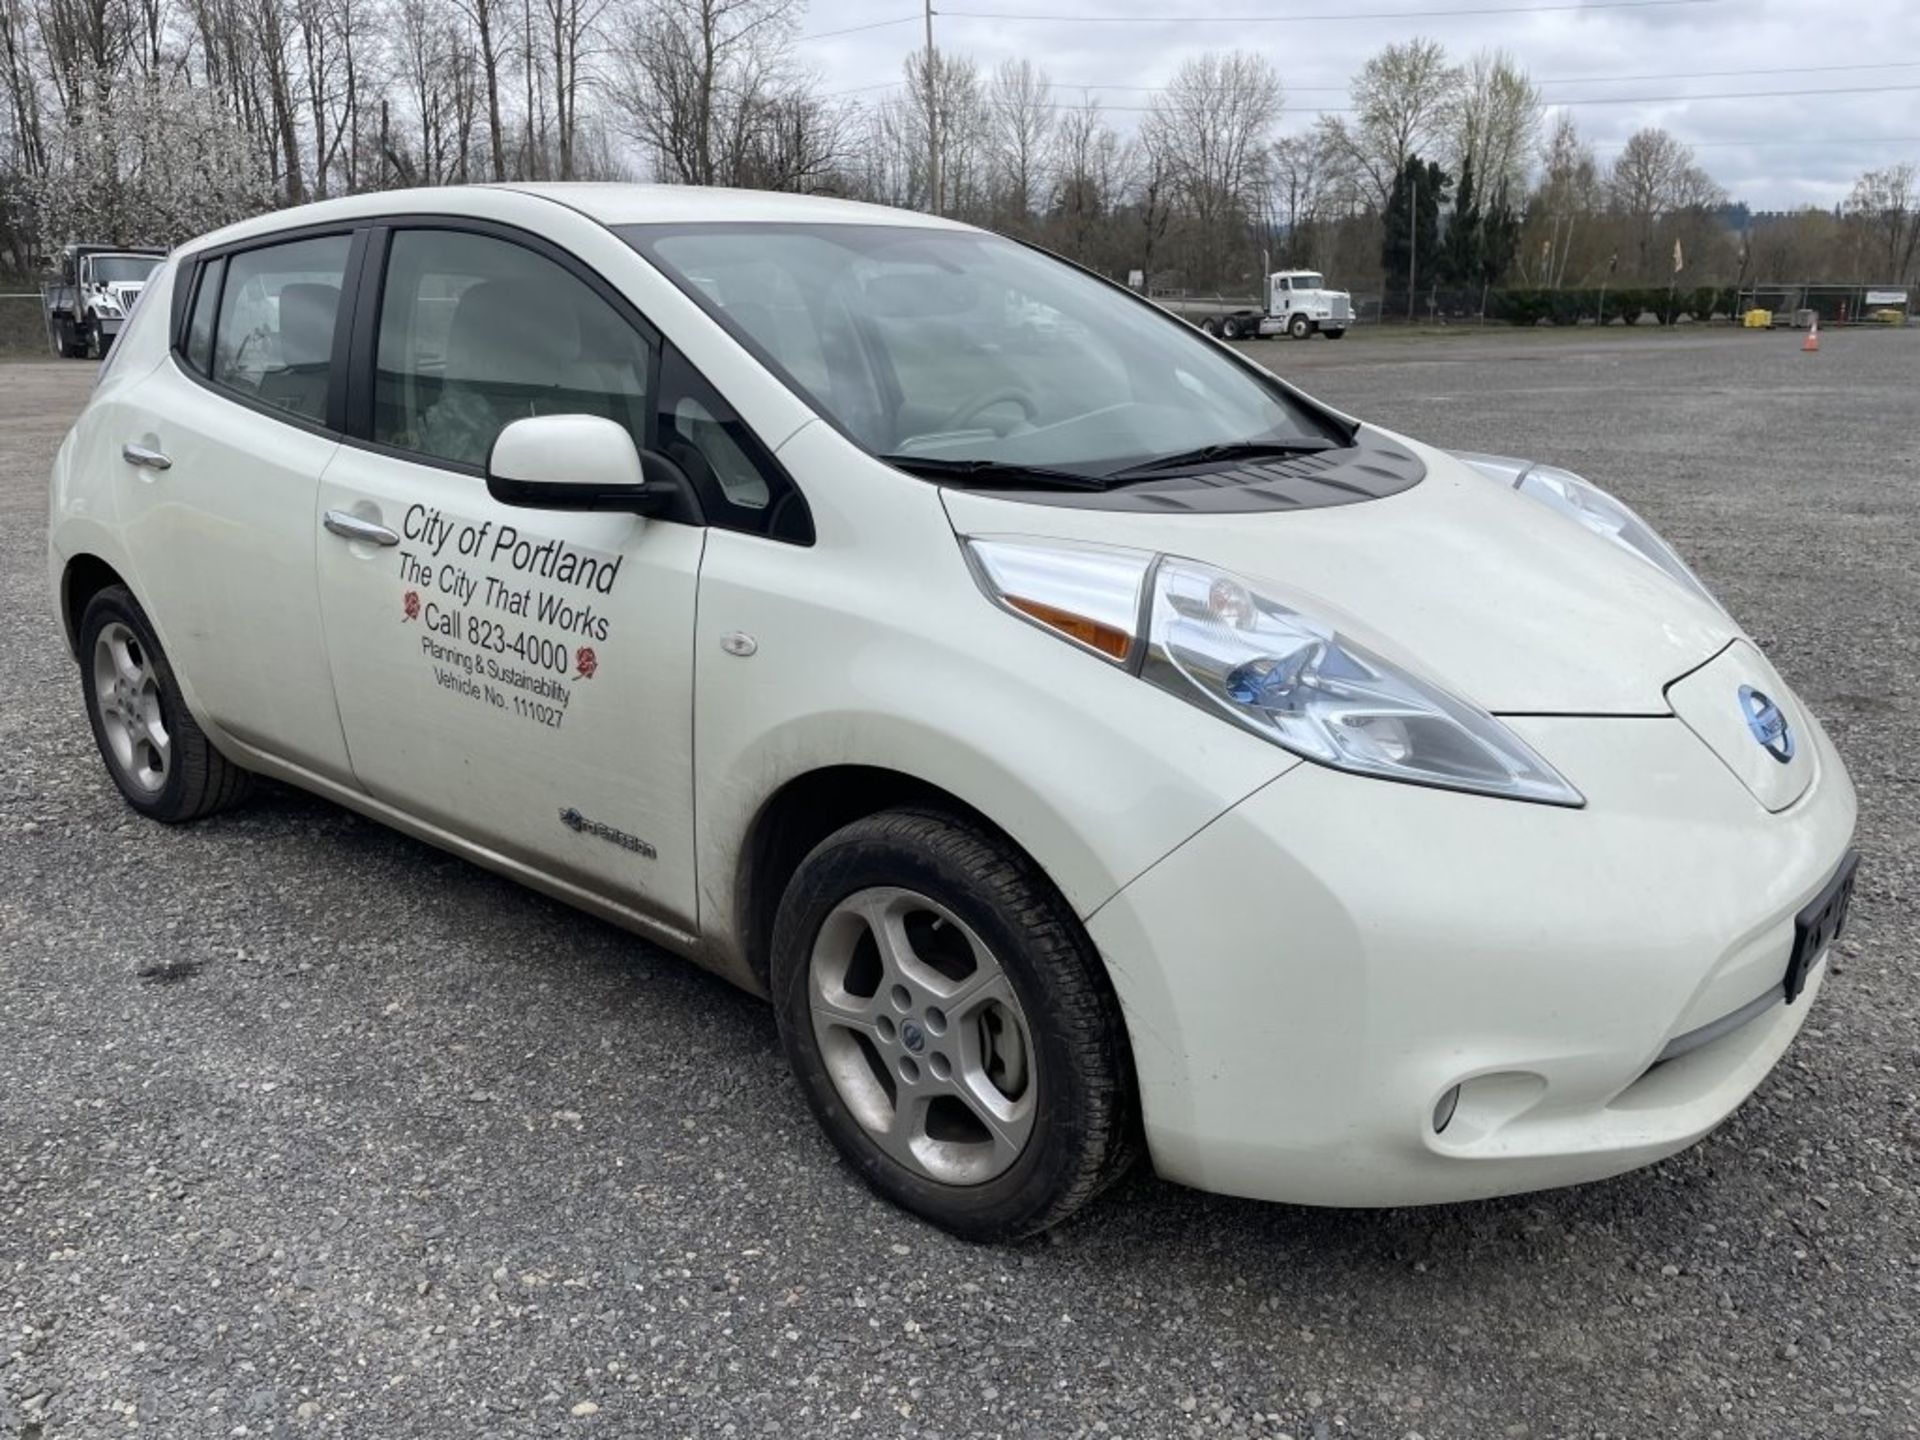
(153, 748)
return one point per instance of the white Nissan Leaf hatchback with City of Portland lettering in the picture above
(1090, 742)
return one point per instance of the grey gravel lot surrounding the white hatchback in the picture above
(310, 1130)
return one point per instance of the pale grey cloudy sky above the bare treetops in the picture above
(1618, 64)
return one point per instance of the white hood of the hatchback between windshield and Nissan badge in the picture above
(1502, 600)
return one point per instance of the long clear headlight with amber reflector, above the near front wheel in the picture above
(1228, 646)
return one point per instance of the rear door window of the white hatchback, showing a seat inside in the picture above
(276, 337)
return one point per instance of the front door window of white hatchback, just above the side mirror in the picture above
(477, 333)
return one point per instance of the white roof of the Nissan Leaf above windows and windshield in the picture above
(606, 203)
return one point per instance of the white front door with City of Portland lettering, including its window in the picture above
(521, 679)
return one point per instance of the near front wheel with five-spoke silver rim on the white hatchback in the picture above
(951, 1026)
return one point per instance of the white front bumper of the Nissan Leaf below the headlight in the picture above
(1316, 971)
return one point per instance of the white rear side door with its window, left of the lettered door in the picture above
(222, 452)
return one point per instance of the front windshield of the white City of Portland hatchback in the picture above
(965, 347)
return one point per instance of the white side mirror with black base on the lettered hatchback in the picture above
(585, 464)
